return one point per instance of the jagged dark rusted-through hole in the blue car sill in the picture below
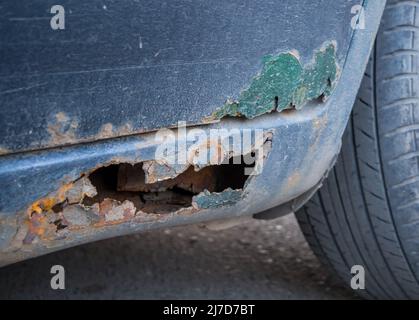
(127, 182)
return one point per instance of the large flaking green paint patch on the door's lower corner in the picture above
(284, 83)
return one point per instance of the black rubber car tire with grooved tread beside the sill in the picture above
(367, 211)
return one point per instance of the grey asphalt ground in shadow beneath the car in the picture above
(256, 260)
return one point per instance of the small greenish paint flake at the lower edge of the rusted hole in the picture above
(207, 200)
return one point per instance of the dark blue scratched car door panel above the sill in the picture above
(124, 67)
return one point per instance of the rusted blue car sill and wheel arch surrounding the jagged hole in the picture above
(301, 146)
